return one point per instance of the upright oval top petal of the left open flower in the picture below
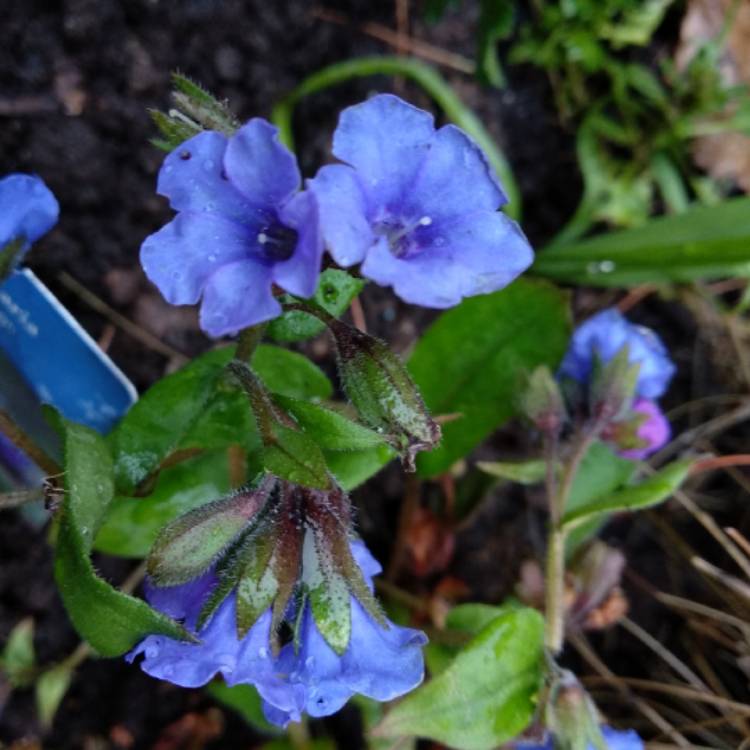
(262, 168)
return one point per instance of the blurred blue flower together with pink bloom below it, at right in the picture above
(596, 344)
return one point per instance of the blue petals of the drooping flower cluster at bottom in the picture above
(379, 662)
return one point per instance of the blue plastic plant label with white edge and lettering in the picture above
(60, 361)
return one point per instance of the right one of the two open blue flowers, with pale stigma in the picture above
(418, 208)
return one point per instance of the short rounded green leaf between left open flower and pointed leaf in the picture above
(290, 374)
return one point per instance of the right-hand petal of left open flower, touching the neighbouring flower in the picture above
(299, 274)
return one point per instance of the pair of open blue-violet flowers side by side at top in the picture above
(415, 206)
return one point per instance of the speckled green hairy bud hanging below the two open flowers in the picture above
(380, 388)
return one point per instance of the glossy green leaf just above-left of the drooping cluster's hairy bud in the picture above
(133, 523)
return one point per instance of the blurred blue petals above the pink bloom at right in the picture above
(602, 336)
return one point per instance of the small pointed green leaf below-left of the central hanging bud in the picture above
(330, 429)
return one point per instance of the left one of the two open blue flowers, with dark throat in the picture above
(242, 226)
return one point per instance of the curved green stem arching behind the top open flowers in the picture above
(433, 84)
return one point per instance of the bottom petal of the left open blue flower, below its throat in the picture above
(238, 295)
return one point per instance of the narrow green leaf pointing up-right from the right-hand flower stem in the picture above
(646, 494)
